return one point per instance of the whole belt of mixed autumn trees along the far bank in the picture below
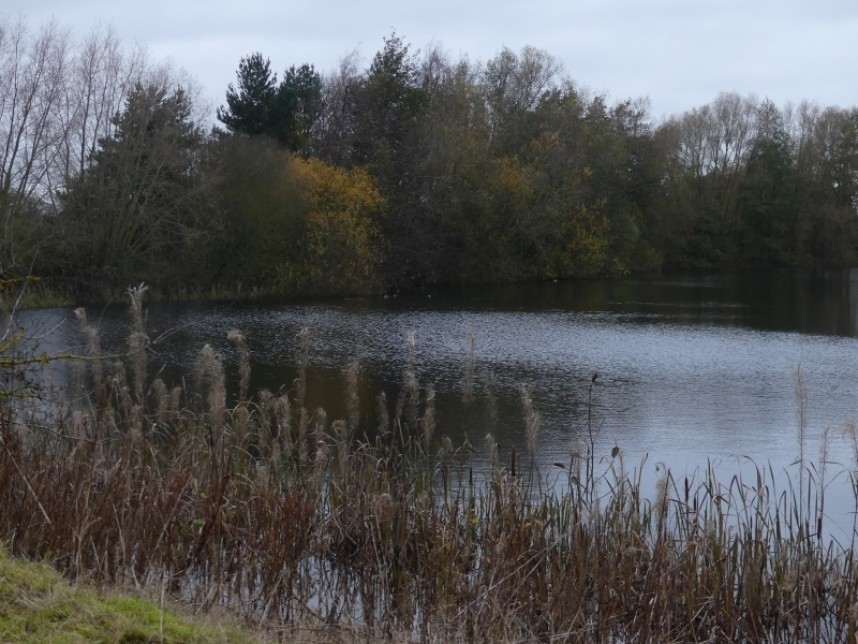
(417, 170)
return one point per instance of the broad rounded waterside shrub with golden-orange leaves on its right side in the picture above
(299, 225)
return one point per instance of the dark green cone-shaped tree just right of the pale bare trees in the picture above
(142, 201)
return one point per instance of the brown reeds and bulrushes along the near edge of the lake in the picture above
(293, 519)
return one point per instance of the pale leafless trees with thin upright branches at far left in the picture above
(57, 102)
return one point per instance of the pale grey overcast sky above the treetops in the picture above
(678, 53)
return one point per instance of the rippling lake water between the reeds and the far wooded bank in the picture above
(692, 368)
